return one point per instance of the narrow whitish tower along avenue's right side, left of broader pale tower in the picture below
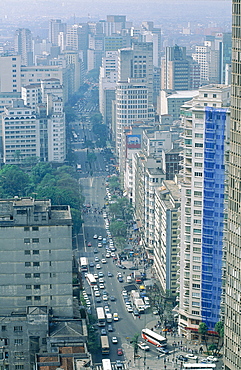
(107, 85)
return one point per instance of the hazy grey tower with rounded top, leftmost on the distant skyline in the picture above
(23, 46)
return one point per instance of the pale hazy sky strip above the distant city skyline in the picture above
(134, 9)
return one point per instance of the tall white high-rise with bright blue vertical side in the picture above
(205, 144)
